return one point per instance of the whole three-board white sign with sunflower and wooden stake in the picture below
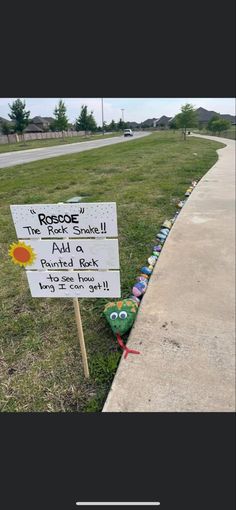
(68, 250)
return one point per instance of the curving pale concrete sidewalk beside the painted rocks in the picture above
(186, 324)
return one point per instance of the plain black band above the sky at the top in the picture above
(179, 49)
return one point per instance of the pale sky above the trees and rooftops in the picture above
(135, 109)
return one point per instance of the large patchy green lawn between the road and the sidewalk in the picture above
(40, 361)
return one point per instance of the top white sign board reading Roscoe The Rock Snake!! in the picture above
(65, 220)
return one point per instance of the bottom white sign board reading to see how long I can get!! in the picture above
(78, 284)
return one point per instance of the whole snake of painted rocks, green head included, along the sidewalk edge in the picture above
(142, 280)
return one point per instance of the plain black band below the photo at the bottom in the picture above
(184, 460)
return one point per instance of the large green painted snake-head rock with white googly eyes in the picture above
(121, 315)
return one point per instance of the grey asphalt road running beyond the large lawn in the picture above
(20, 157)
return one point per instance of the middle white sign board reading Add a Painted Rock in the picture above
(74, 254)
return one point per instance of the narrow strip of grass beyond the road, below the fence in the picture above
(37, 144)
